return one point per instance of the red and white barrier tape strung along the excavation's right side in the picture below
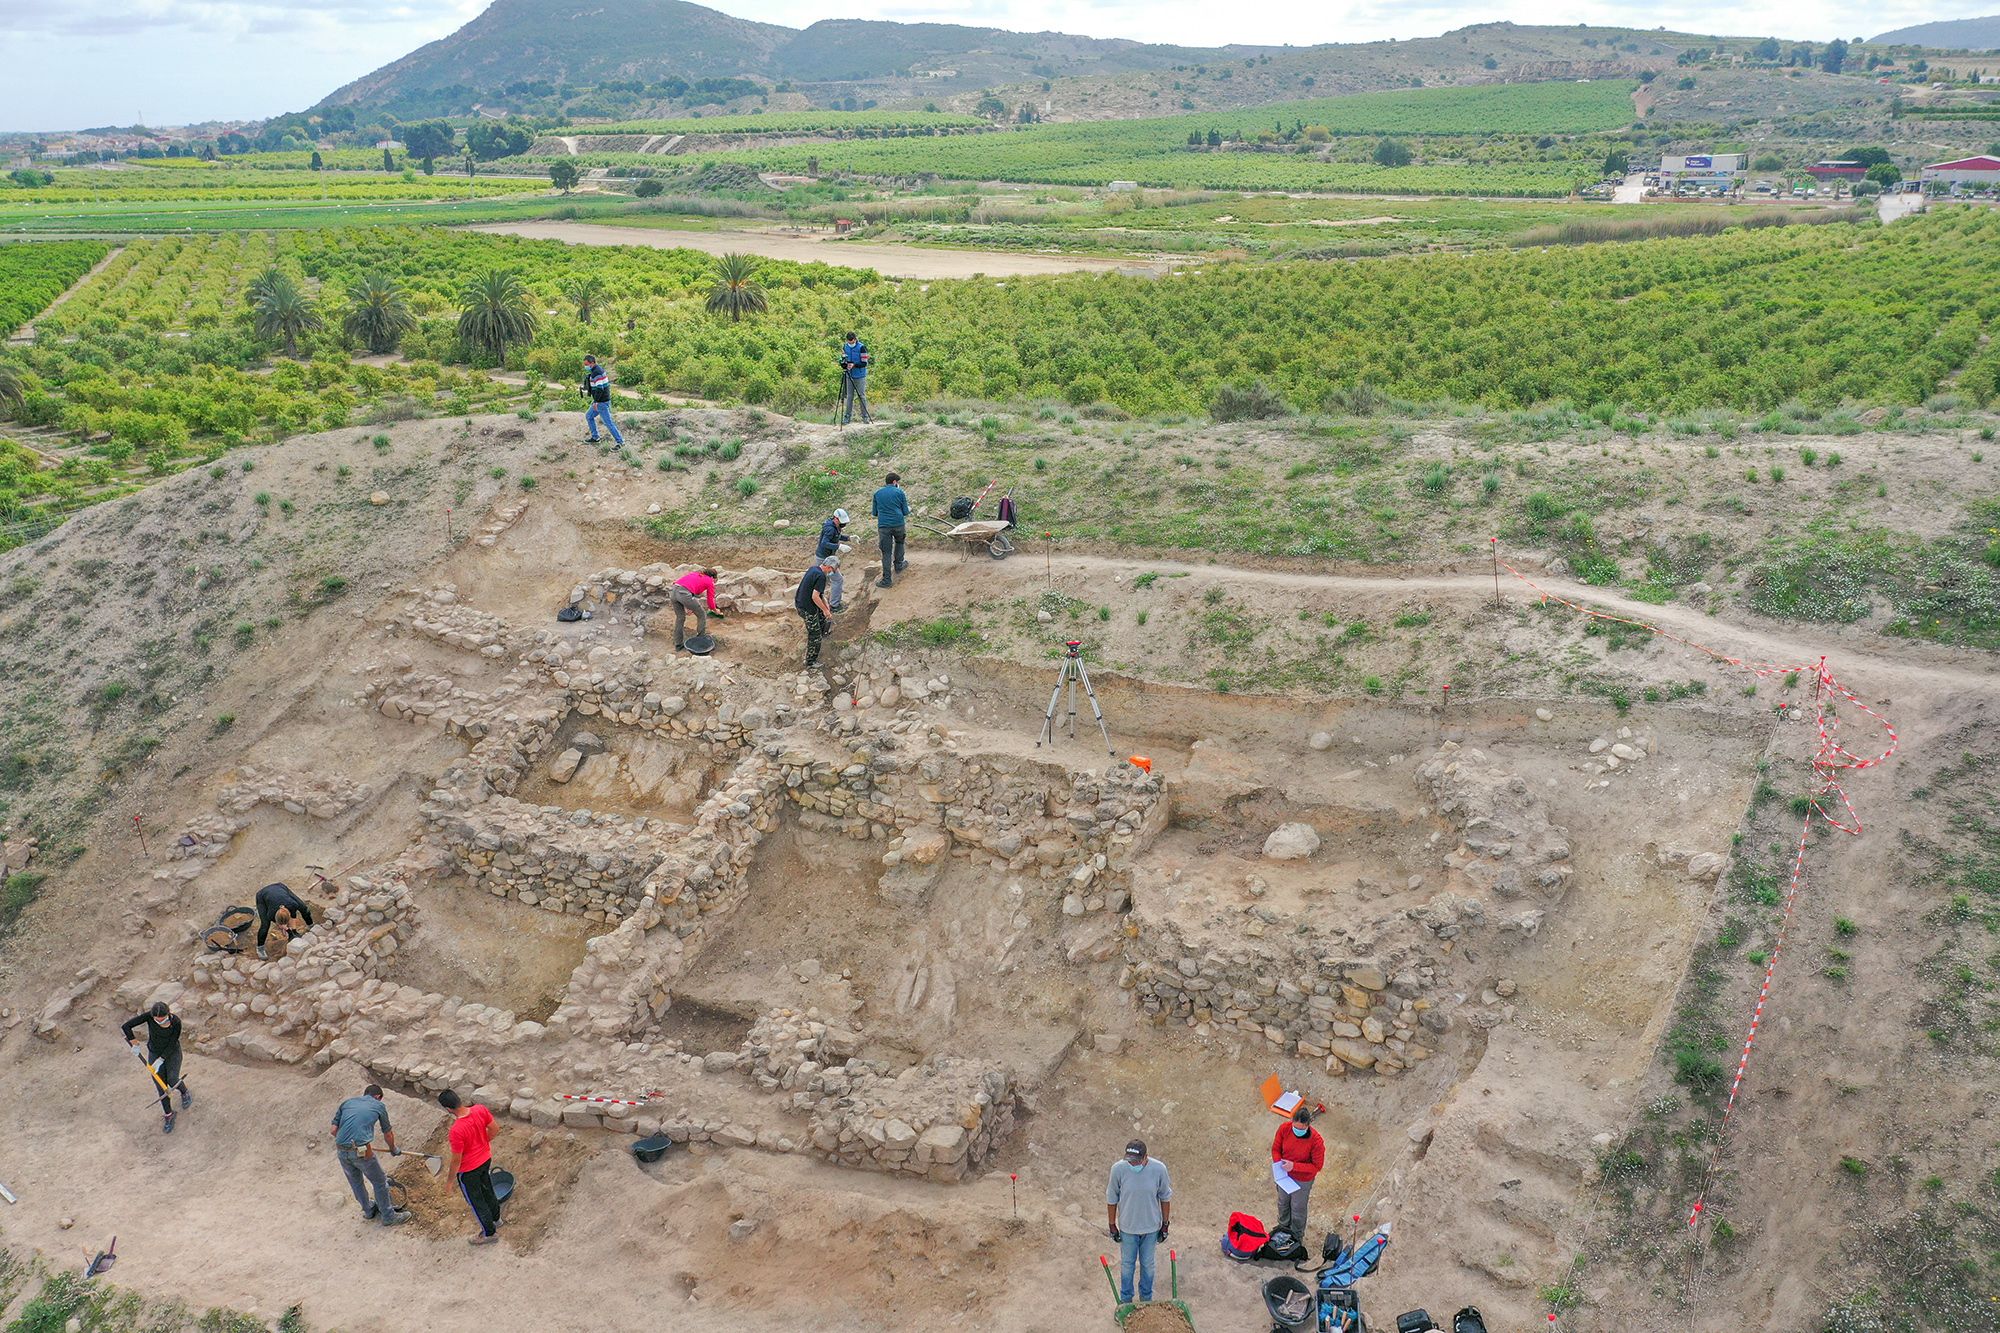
(1829, 760)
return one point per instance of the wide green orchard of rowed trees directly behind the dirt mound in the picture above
(1751, 319)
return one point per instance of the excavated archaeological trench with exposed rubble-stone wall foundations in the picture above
(867, 920)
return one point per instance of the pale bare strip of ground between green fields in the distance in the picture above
(887, 259)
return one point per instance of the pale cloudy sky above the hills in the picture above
(79, 63)
